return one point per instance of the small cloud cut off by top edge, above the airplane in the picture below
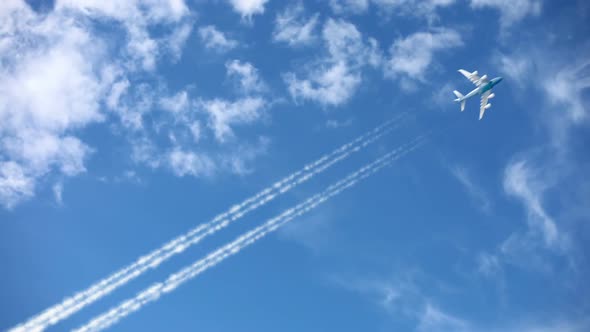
(511, 11)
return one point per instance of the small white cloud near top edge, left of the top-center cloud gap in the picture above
(293, 28)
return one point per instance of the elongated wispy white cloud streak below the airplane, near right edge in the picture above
(523, 182)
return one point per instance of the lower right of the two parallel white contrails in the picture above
(154, 292)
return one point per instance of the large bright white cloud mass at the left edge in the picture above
(48, 88)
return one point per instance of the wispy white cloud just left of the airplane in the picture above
(411, 56)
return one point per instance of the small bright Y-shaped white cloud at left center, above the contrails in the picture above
(223, 114)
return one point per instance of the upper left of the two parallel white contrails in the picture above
(78, 301)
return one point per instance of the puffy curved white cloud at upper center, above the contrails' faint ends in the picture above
(334, 79)
